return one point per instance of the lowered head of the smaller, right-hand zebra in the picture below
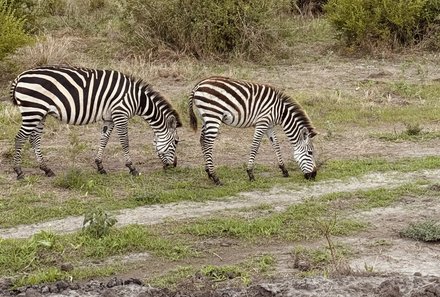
(304, 154)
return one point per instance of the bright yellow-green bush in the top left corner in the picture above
(12, 33)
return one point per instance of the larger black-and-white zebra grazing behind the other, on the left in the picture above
(79, 96)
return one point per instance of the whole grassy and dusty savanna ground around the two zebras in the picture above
(177, 234)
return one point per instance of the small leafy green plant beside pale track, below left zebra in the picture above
(98, 223)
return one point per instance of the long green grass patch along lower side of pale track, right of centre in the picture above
(305, 220)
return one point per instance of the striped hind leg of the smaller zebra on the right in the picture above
(207, 138)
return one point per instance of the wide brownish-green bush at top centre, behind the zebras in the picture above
(201, 27)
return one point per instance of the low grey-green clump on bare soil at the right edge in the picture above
(428, 230)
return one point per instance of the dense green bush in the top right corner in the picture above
(390, 22)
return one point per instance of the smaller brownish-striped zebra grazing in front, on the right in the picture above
(243, 104)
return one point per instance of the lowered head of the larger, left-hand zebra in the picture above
(166, 140)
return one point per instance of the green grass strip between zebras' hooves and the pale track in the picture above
(78, 191)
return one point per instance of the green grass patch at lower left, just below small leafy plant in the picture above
(41, 253)
